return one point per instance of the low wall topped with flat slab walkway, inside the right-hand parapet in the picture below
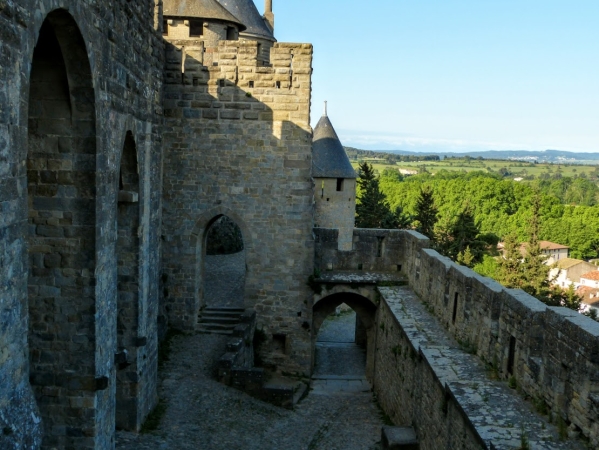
(426, 379)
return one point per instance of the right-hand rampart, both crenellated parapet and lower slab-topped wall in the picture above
(551, 353)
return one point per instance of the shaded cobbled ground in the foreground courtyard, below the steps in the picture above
(202, 414)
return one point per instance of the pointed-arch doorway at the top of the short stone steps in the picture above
(224, 264)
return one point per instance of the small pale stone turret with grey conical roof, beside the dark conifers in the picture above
(335, 183)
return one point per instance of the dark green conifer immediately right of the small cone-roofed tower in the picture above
(372, 208)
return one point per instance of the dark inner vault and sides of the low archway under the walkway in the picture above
(365, 310)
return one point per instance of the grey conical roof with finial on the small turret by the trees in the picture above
(329, 159)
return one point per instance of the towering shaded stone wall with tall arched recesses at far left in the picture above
(63, 122)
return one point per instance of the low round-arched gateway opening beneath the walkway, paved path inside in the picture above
(343, 336)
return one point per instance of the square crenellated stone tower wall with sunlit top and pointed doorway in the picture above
(238, 143)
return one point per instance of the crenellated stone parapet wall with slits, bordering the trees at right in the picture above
(551, 353)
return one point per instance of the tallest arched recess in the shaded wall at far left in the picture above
(61, 183)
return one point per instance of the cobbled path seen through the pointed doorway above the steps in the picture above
(224, 277)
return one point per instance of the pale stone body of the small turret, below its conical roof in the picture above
(336, 208)
